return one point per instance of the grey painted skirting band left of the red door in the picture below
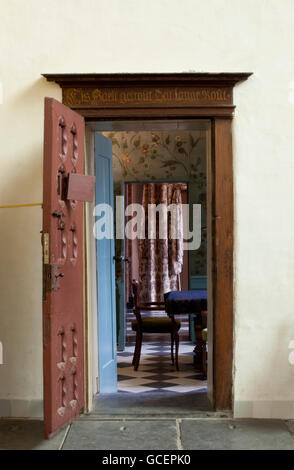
(21, 408)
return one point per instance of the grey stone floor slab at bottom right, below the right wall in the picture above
(236, 435)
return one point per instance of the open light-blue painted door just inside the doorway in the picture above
(105, 267)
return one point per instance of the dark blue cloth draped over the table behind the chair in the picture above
(185, 301)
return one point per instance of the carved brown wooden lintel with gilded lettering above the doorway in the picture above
(94, 95)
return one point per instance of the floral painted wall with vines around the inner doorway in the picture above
(164, 156)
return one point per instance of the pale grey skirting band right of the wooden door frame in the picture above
(264, 409)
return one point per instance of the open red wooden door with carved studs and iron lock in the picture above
(62, 240)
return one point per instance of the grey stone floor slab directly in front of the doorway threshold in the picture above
(119, 435)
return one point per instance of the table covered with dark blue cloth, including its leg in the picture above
(191, 302)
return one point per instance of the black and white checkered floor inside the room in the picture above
(156, 372)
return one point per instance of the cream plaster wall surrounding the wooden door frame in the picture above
(157, 36)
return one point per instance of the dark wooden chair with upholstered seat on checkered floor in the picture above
(162, 324)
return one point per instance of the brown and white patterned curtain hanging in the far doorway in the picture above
(161, 260)
